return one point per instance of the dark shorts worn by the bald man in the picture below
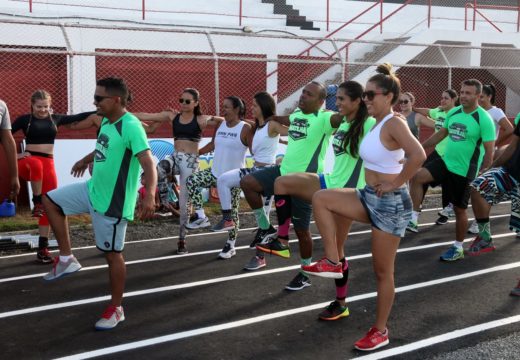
(301, 210)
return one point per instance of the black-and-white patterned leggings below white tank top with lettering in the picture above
(204, 179)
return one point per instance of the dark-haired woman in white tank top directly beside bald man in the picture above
(263, 143)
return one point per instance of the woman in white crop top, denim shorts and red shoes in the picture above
(384, 203)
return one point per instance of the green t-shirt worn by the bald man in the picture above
(309, 136)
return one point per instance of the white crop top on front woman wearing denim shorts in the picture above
(376, 156)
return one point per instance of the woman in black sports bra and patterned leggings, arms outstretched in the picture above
(187, 127)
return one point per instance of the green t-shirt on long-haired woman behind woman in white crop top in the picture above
(348, 171)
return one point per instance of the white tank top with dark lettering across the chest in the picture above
(229, 152)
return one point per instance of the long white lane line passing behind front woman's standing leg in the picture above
(235, 324)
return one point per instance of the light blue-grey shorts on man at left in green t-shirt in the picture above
(74, 199)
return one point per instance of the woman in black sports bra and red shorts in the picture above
(36, 163)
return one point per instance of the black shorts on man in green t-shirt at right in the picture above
(456, 186)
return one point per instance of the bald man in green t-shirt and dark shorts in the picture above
(310, 130)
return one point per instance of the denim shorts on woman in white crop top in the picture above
(389, 213)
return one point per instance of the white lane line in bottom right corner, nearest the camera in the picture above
(441, 338)
